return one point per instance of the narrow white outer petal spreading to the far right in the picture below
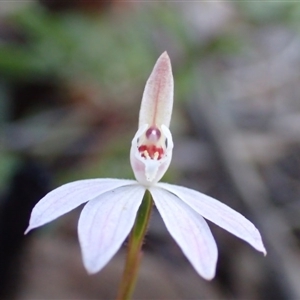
(219, 213)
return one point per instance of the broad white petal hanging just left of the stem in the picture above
(104, 224)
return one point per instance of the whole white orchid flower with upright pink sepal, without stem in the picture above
(112, 204)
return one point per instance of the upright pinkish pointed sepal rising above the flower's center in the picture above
(157, 102)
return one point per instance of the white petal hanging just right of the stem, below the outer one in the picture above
(189, 230)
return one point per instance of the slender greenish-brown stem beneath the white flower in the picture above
(134, 249)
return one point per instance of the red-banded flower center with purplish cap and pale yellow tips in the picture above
(151, 148)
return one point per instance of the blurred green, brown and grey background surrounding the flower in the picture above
(72, 75)
